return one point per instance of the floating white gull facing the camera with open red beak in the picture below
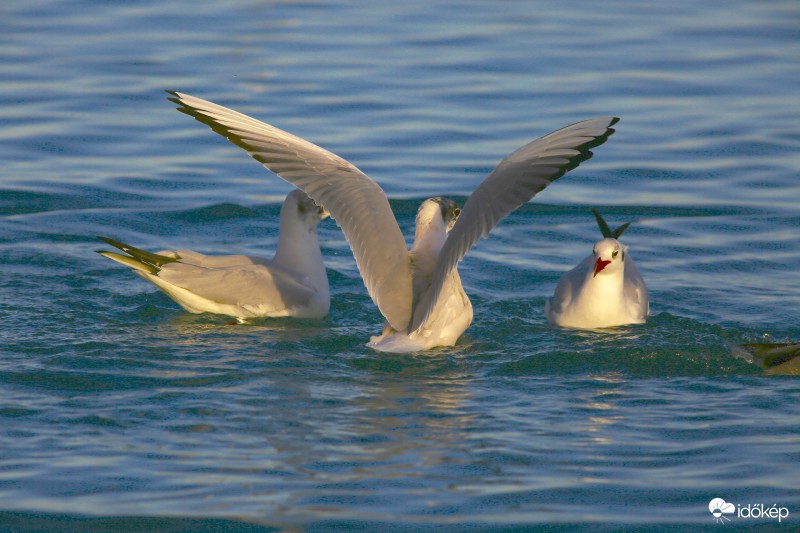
(604, 290)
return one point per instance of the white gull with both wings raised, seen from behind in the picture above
(418, 292)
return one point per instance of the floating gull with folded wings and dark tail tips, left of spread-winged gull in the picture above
(293, 283)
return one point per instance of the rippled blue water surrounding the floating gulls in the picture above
(120, 411)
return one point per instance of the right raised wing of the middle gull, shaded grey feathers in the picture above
(516, 180)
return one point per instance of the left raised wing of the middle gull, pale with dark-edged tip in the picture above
(357, 203)
